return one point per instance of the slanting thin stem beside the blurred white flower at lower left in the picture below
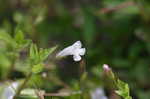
(23, 85)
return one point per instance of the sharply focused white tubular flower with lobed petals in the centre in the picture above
(74, 50)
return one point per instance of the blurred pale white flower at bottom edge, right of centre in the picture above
(98, 93)
